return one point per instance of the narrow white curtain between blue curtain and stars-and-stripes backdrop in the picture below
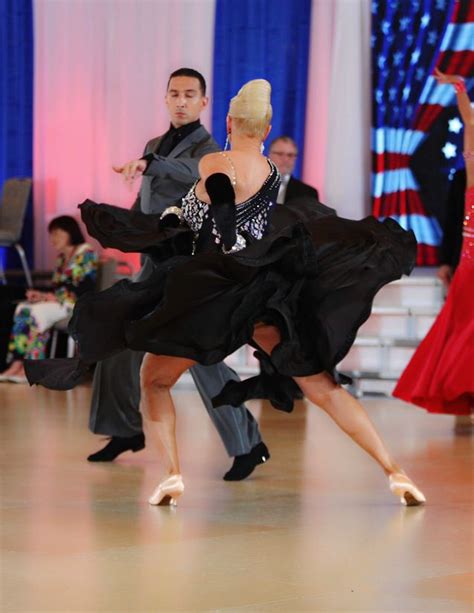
(337, 138)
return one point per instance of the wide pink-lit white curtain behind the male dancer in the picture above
(101, 69)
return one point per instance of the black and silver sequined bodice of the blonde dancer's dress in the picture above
(252, 215)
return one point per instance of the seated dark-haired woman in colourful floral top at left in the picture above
(74, 273)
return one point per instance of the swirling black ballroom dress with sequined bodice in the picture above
(312, 275)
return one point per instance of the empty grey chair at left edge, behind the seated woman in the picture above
(15, 195)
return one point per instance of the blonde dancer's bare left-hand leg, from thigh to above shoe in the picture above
(158, 374)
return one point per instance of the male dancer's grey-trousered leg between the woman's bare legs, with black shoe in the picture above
(235, 425)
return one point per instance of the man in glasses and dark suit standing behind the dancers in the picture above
(283, 152)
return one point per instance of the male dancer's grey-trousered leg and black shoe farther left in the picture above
(115, 405)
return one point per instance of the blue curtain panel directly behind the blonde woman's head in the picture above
(266, 39)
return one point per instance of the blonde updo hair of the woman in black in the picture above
(251, 110)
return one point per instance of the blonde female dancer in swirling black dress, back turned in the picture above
(238, 269)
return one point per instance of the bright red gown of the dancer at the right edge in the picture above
(440, 375)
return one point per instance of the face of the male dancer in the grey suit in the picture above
(184, 100)
